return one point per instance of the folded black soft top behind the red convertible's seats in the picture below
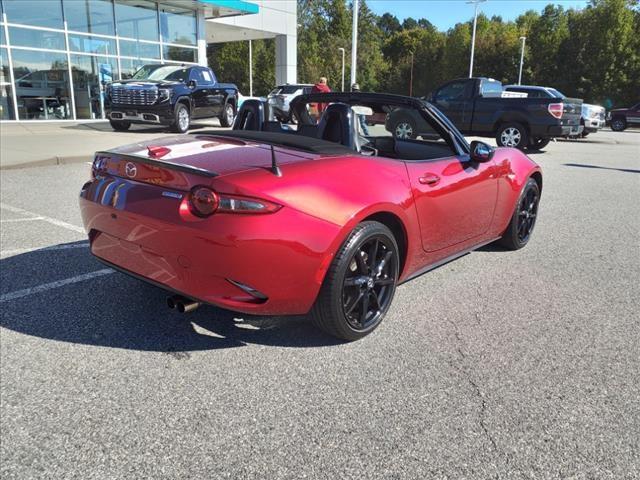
(292, 140)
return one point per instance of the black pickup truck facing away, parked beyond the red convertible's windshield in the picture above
(480, 107)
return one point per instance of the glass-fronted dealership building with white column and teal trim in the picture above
(56, 55)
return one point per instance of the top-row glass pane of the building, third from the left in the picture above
(137, 19)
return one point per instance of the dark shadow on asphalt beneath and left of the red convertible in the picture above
(117, 311)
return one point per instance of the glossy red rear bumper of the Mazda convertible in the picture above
(283, 256)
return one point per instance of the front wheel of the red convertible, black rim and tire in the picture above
(524, 217)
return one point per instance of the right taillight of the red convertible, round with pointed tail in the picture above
(203, 202)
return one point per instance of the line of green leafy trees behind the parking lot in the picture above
(592, 53)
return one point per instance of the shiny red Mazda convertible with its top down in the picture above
(322, 216)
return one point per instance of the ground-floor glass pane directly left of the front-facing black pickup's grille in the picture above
(90, 75)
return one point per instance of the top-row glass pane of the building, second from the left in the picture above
(91, 16)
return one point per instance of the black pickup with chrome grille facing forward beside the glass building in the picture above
(170, 95)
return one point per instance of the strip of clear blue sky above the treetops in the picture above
(444, 14)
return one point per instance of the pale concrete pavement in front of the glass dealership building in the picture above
(55, 143)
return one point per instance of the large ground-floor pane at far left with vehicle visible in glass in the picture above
(42, 85)
